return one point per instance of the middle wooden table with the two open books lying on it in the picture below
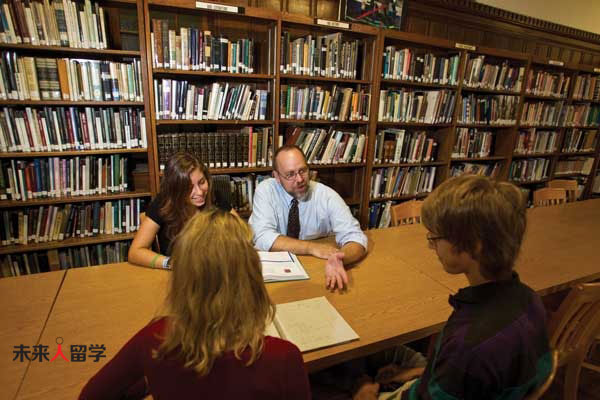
(387, 303)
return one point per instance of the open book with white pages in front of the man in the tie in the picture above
(281, 266)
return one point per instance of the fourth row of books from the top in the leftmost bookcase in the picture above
(62, 177)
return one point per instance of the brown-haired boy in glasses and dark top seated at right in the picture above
(495, 343)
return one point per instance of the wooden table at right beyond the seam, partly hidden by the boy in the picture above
(559, 248)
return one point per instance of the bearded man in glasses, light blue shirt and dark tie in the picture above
(289, 210)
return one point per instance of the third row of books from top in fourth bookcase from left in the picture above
(399, 146)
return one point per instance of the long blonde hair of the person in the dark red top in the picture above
(217, 300)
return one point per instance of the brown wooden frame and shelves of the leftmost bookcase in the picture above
(119, 49)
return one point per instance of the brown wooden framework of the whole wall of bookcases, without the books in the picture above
(265, 23)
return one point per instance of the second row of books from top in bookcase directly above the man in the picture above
(319, 103)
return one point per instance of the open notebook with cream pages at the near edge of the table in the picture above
(310, 324)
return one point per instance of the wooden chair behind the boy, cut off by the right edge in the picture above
(573, 329)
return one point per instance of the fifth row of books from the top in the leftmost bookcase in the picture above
(56, 223)
